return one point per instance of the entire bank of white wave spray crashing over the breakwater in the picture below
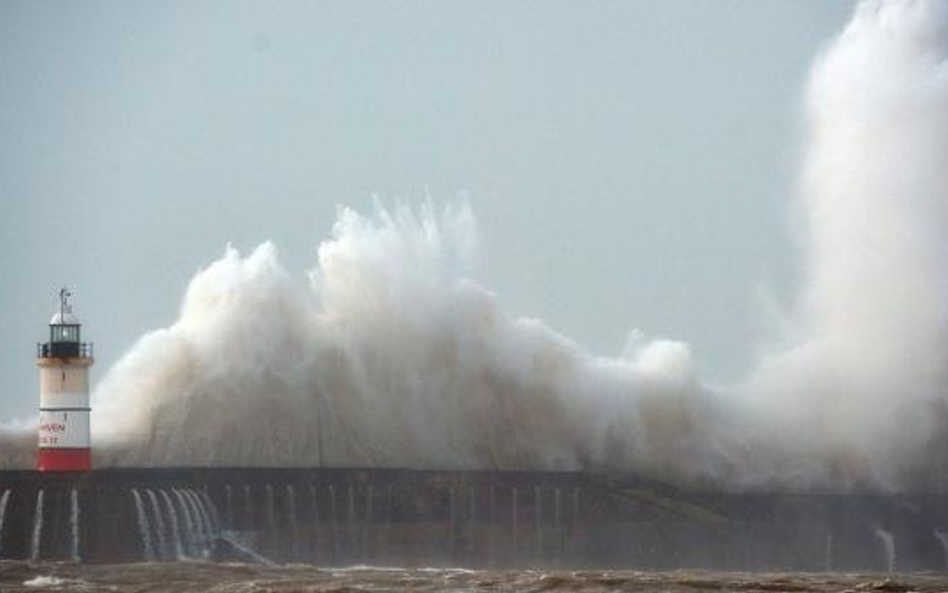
(393, 356)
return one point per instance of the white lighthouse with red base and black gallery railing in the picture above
(64, 361)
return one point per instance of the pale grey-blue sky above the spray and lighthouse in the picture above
(629, 163)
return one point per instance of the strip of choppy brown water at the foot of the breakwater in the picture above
(201, 576)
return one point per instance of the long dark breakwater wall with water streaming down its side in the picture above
(341, 517)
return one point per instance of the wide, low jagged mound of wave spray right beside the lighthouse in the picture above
(393, 359)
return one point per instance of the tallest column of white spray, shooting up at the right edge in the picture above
(860, 396)
